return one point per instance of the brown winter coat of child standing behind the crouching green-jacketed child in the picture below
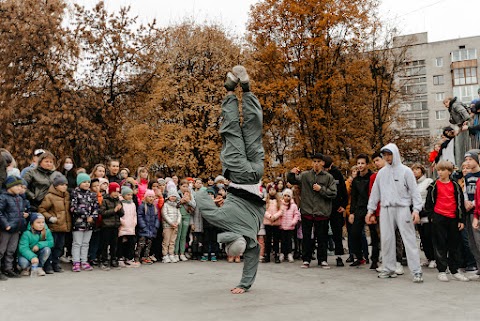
(57, 204)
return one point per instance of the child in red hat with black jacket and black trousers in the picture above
(111, 212)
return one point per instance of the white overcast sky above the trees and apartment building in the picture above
(442, 19)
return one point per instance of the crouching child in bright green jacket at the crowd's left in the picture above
(35, 245)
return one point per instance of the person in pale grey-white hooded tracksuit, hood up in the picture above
(396, 189)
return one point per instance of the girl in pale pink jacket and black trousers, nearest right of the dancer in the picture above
(272, 221)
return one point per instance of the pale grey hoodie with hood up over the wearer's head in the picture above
(395, 185)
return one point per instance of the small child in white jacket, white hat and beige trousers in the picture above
(171, 218)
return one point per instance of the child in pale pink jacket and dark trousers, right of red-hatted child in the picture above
(126, 232)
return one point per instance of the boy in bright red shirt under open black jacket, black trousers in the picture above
(445, 206)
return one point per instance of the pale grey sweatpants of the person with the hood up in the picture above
(400, 217)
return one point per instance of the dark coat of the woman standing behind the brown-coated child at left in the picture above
(38, 182)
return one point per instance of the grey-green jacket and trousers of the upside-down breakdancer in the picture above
(242, 158)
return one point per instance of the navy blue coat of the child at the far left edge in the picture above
(12, 208)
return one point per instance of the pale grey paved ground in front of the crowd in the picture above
(200, 291)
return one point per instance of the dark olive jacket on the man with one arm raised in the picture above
(315, 203)
